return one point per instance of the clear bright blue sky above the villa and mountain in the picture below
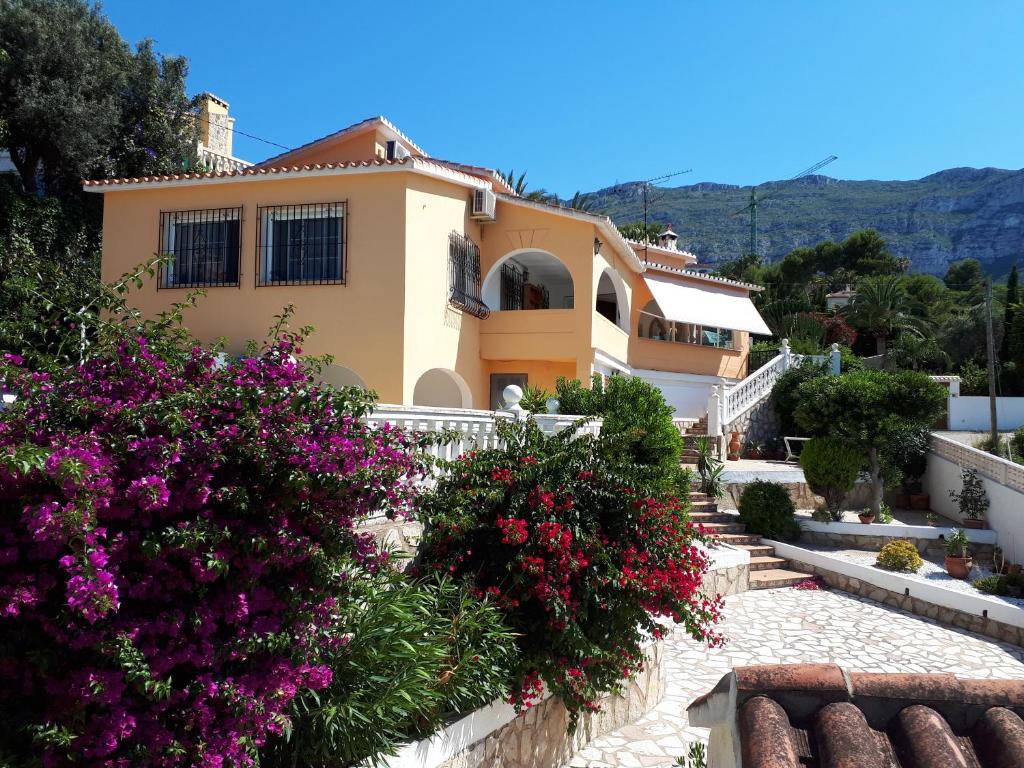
(586, 95)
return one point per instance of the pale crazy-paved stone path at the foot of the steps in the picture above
(791, 626)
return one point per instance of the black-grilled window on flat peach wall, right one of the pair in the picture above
(302, 245)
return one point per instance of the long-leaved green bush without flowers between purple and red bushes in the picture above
(417, 654)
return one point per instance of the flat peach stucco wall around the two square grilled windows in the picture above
(361, 324)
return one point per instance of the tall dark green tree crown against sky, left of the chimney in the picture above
(78, 103)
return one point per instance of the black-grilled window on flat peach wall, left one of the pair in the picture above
(205, 247)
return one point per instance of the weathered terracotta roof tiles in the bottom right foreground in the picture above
(794, 716)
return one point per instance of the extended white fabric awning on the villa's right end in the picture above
(710, 306)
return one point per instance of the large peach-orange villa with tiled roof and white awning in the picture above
(430, 282)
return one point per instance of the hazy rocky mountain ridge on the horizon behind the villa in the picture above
(953, 215)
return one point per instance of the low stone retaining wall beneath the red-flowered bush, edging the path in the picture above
(540, 738)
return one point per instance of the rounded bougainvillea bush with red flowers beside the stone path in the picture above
(579, 558)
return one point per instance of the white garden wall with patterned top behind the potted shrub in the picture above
(1004, 483)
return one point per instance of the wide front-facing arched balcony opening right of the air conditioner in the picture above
(529, 280)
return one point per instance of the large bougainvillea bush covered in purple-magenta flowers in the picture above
(177, 535)
